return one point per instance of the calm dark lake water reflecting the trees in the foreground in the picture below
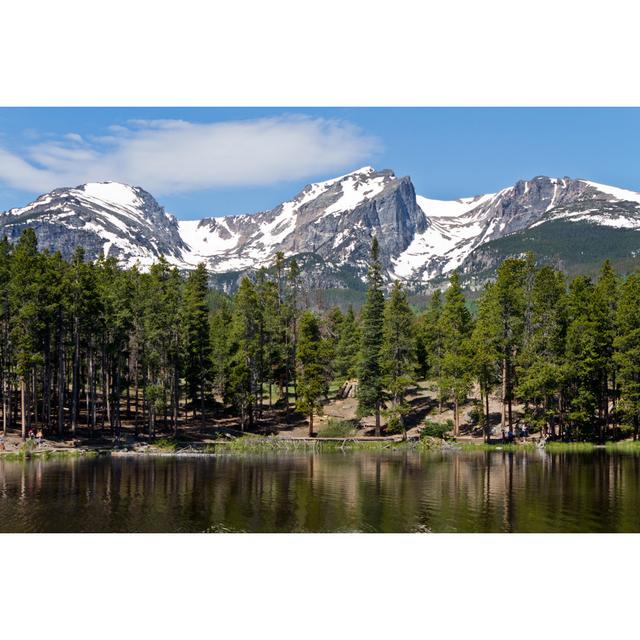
(397, 492)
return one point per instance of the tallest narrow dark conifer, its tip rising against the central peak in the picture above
(370, 387)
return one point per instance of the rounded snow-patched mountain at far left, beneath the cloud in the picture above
(106, 218)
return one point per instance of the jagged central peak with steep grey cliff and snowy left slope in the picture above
(335, 220)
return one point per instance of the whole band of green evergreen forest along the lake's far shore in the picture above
(88, 348)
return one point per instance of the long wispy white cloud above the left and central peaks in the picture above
(170, 156)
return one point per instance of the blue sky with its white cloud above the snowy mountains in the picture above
(216, 161)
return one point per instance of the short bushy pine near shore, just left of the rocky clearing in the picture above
(311, 357)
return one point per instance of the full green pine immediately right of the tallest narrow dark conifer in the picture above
(398, 352)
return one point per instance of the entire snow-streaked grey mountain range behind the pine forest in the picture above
(328, 227)
